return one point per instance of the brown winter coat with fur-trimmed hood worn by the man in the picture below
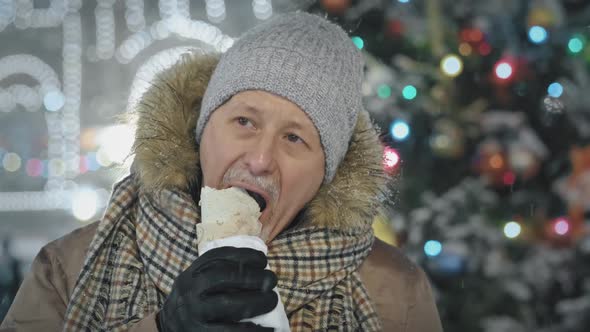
(398, 288)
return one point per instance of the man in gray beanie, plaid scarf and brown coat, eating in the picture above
(280, 115)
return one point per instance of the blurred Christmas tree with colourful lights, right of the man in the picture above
(485, 114)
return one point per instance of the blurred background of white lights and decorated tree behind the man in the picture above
(484, 110)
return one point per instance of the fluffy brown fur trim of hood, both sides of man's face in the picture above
(167, 155)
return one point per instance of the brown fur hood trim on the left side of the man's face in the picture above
(165, 148)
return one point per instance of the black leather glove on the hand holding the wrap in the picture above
(220, 288)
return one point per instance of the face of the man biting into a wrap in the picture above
(266, 145)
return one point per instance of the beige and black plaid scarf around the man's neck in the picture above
(145, 240)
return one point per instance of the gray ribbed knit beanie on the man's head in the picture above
(305, 59)
